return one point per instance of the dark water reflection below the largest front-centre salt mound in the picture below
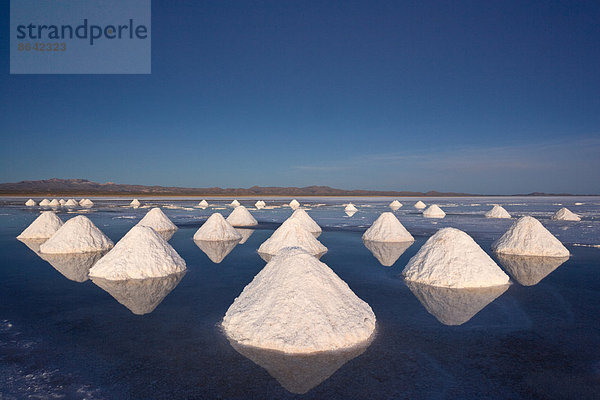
(299, 373)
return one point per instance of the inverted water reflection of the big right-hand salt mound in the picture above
(453, 306)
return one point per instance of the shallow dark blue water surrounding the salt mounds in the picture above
(71, 339)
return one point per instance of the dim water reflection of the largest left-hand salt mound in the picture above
(140, 296)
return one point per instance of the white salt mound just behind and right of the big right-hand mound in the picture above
(528, 237)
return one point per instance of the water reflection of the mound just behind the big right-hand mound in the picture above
(529, 270)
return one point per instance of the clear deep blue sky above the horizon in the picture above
(470, 96)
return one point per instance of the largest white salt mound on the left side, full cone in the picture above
(141, 253)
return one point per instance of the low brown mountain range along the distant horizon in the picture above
(73, 187)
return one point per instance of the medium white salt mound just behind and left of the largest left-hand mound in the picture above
(77, 235)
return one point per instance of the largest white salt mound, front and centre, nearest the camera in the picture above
(297, 304)
